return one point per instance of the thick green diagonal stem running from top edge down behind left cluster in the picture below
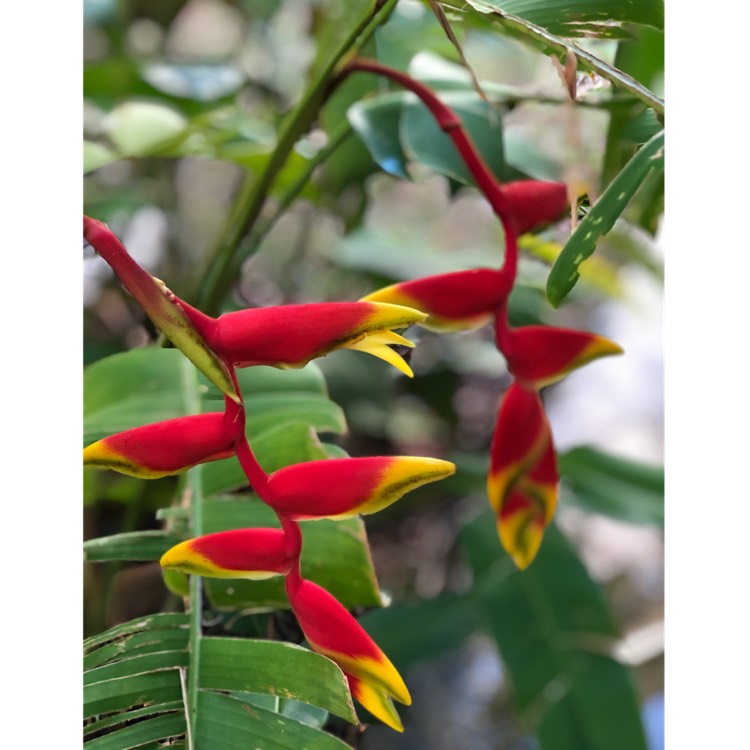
(225, 263)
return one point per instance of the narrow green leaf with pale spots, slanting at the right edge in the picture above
(601, 218)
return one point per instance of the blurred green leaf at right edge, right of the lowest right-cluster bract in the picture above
(616, 487)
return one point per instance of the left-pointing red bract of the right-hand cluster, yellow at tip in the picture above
(456, 301)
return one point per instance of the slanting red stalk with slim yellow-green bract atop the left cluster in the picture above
(161, 305)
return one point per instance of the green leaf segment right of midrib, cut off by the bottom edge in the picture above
(226, 723)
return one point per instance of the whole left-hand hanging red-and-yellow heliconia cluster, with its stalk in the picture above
(284, 336)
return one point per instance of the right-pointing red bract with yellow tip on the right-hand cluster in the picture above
(541, 355)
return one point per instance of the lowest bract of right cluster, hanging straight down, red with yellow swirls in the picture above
(522, 481)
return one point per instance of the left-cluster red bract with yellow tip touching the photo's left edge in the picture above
(163, 448)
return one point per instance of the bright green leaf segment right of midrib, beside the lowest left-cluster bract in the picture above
(274, 668)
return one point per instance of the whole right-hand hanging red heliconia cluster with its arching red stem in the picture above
(523, 476)
